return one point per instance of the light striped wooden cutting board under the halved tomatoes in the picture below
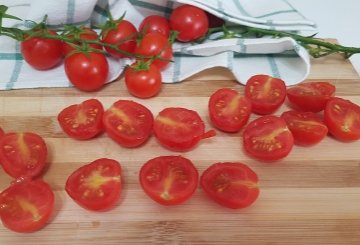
(310, 197)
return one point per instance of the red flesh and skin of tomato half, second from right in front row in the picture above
(183, 191)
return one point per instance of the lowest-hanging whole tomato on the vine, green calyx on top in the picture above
(143, 82)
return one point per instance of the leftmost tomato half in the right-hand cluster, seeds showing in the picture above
(228, 110)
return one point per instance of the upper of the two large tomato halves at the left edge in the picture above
(23, 154)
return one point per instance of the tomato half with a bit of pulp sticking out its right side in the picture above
(180, 129)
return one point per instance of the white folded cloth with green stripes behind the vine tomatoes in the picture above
(282, 58)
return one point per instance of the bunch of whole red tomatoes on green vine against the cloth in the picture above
(85, 50)
